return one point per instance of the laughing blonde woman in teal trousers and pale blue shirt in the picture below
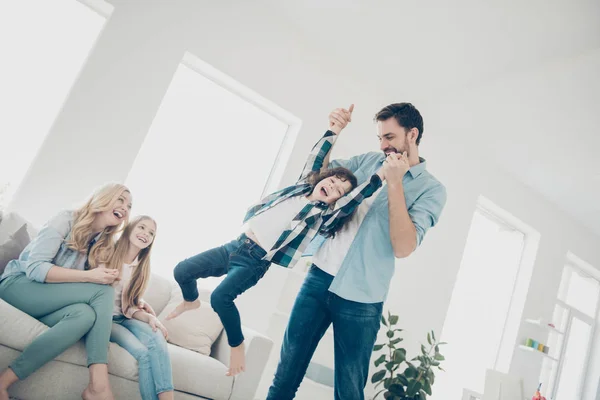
(58, 280)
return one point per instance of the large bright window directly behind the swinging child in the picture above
(213, 148)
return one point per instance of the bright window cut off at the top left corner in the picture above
(44, 46)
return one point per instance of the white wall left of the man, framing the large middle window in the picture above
(121, 86)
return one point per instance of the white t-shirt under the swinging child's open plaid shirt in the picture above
(269, 225)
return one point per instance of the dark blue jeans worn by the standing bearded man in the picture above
(355, 327)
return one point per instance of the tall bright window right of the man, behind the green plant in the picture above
(488, 299)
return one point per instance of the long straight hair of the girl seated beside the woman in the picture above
(141, 274)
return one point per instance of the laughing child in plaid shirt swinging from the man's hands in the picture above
(279, 229)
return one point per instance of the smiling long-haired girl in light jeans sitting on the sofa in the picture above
(133, 328)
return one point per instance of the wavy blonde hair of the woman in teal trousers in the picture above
(102, 200)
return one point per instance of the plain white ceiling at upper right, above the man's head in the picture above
(533, 65)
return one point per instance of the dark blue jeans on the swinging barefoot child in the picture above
(241, 260)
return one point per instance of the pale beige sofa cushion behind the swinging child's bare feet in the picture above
(194, 330)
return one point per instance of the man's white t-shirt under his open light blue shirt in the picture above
(330, 256)
